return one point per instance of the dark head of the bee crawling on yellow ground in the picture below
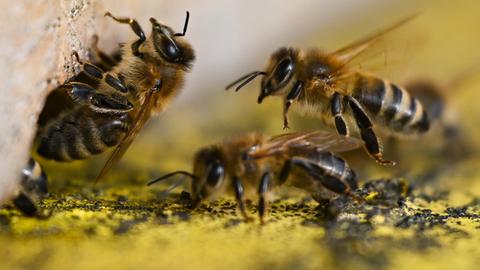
(210, 171)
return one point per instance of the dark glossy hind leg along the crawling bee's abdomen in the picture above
(323, 174)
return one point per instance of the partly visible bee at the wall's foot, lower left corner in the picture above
(33, 187)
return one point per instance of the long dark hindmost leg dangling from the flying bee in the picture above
(372, 143)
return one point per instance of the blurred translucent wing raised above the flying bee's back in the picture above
(354, 49)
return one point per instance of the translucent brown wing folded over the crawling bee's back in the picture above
(303, 141)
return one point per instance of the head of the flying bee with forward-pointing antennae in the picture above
(278, 74)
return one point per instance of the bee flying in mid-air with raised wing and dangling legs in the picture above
(327, 85)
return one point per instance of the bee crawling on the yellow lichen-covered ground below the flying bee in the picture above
(256, 163)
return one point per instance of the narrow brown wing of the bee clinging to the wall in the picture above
(140, 119)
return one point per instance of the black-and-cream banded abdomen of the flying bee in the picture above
(391, 105)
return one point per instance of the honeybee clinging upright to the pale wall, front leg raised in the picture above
(112, 109)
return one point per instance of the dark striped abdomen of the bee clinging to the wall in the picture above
(81, 133)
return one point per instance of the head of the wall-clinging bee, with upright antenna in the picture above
(170, 45)
